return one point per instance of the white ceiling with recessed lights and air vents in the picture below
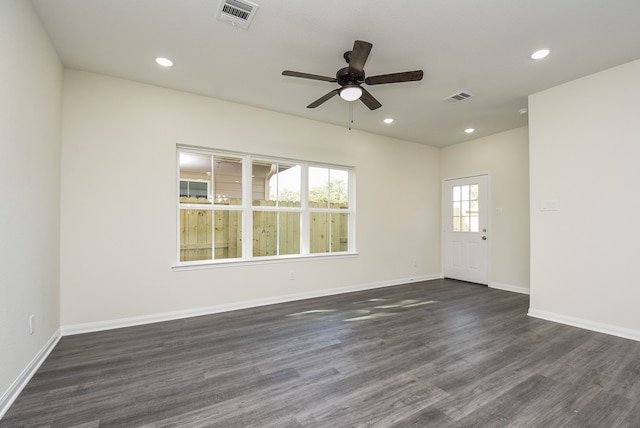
(478, 46)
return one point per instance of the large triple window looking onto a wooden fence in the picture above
(240, 207)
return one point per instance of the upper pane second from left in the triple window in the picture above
(227, 180)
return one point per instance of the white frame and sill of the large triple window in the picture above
(247, 209)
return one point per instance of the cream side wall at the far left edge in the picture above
(30, 109)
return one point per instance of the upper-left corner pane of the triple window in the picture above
(195, 178)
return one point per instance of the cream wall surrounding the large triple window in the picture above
(118, 201)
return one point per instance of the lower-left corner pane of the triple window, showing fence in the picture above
(195, 235)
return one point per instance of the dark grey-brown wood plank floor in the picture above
(433, 354)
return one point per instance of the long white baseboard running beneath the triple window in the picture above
(69, 330)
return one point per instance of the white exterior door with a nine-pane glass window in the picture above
(465, 215)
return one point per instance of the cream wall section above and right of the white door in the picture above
(505, 156)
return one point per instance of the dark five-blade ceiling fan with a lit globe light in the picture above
(352, 77)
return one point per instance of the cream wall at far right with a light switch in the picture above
(585, 154)
